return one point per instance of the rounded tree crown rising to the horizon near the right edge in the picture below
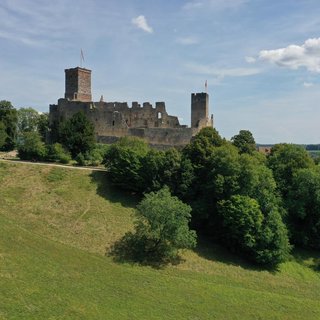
(285, 160)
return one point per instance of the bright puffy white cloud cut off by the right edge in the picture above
(295, 56)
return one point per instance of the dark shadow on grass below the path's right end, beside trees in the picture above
(116, 195)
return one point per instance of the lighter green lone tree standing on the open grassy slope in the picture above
(162, 225)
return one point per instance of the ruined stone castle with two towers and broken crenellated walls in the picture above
(113, 120)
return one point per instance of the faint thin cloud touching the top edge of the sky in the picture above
(213, 4)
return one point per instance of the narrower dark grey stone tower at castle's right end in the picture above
(200, 111)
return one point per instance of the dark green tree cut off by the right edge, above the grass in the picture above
(303, 203)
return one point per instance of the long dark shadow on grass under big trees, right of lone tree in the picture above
(208, 249)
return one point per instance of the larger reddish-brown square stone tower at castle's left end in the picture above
(78, 84)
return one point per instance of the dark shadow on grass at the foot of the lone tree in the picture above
(132, 249)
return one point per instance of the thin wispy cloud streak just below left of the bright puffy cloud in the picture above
(224, 72)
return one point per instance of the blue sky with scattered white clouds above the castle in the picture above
(261, 58)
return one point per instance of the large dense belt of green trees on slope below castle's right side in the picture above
(255, 205)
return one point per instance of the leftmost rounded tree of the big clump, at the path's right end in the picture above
(124, 163)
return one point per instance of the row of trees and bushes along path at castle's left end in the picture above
(27, 130)
